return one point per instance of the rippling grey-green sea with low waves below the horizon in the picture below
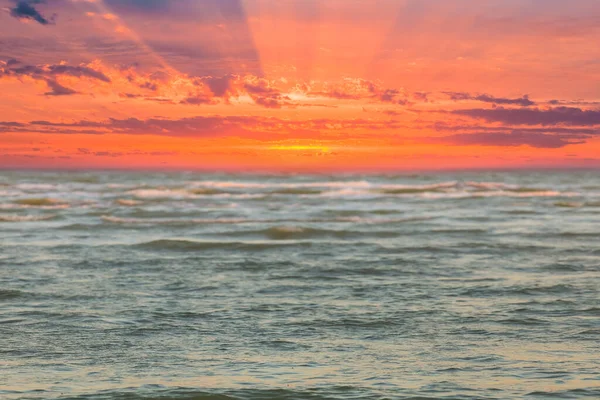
(194, 286)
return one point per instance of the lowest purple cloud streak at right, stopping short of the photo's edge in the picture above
(513, 139)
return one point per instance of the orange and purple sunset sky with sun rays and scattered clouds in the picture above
(299, 85)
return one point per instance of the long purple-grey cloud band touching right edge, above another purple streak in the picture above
(553, 116)
